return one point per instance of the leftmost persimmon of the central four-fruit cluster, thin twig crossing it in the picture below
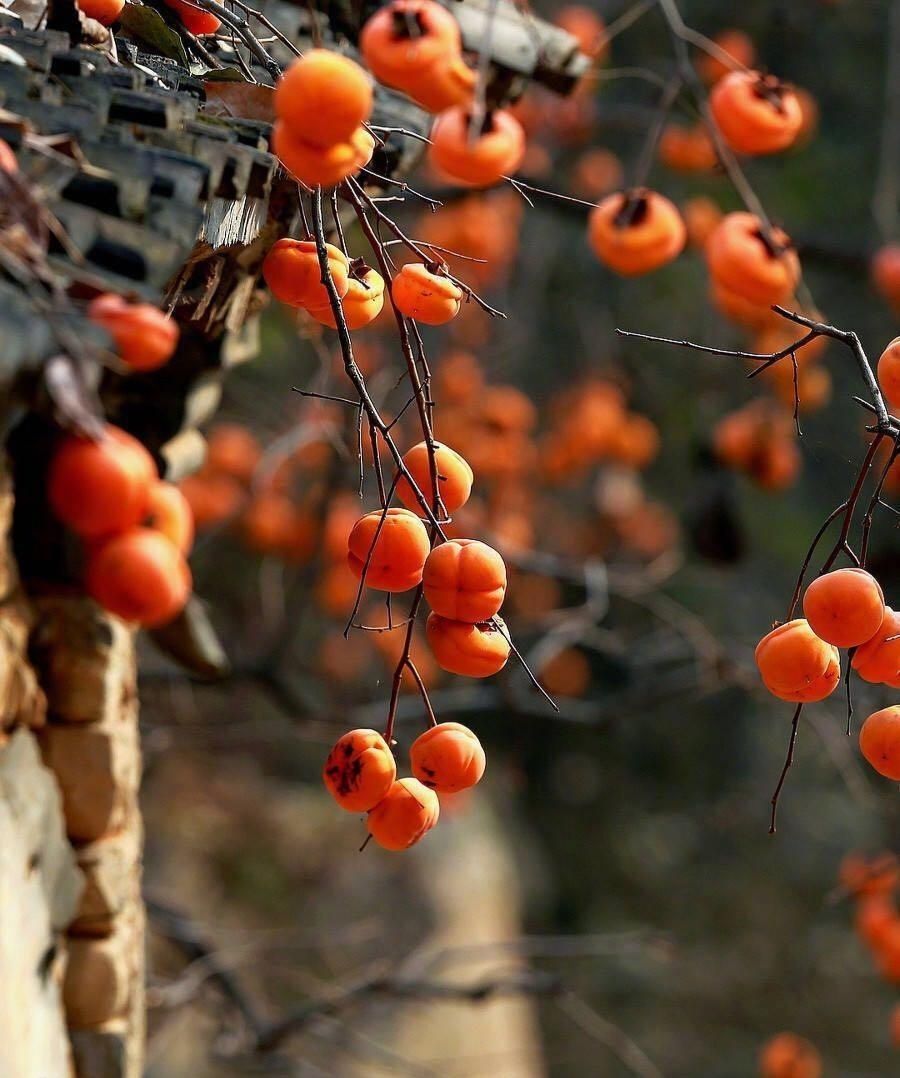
(398, 554)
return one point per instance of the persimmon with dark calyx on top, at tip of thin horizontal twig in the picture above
(634, 232)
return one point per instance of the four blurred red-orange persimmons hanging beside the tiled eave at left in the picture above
(104, 486)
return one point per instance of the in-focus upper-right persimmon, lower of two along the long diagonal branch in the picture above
(740, 261)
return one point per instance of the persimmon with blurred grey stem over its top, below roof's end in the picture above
(495, 151)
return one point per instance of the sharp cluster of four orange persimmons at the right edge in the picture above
(800, 662)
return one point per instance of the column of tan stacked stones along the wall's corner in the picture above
(86, 662)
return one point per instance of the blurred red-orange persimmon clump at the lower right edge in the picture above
(874, 883)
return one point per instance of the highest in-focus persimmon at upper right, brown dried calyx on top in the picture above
(749, 121)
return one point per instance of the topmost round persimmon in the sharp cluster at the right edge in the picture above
(844, 607)
